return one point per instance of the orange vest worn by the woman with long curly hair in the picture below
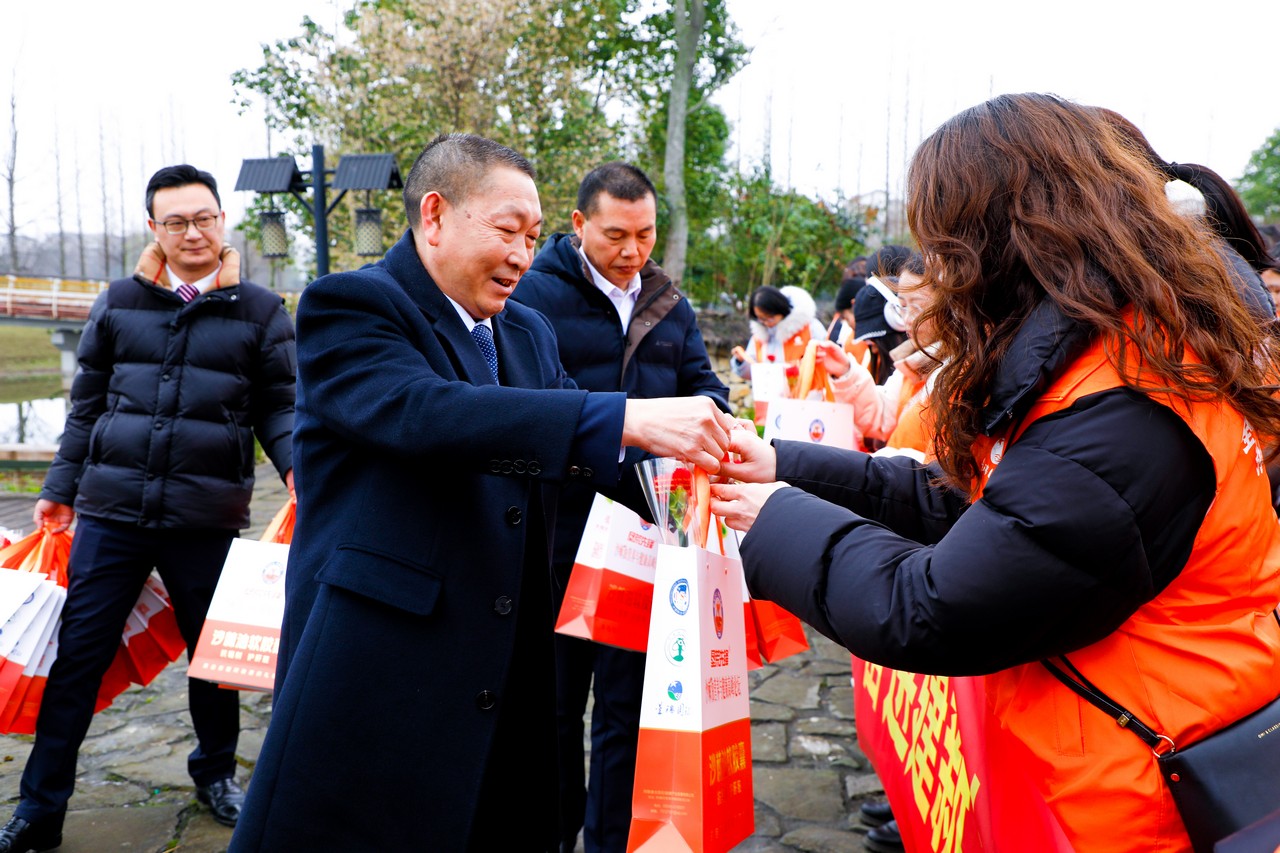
(1205, 653)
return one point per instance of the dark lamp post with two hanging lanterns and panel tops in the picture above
(365, 172)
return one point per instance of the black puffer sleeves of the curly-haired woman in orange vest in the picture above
(1089, 516)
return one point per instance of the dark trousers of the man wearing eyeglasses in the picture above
(109, 565)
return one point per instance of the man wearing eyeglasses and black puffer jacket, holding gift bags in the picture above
(180, 368)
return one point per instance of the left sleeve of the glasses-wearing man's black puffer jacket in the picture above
(89, 402)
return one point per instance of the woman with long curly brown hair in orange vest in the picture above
(1100, 491)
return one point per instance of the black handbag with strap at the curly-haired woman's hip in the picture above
(1222, 783)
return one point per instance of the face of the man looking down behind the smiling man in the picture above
(619, 236)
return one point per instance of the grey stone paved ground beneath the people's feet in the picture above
(134, 792)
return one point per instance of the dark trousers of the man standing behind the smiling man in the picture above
(602, 808)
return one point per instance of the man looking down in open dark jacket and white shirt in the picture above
(621, 325)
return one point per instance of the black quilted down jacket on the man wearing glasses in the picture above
(167, 403)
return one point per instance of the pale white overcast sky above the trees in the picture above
(843, 90)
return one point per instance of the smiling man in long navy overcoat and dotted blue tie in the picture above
(415, 703)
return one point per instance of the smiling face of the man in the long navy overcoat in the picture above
(478, 250)
